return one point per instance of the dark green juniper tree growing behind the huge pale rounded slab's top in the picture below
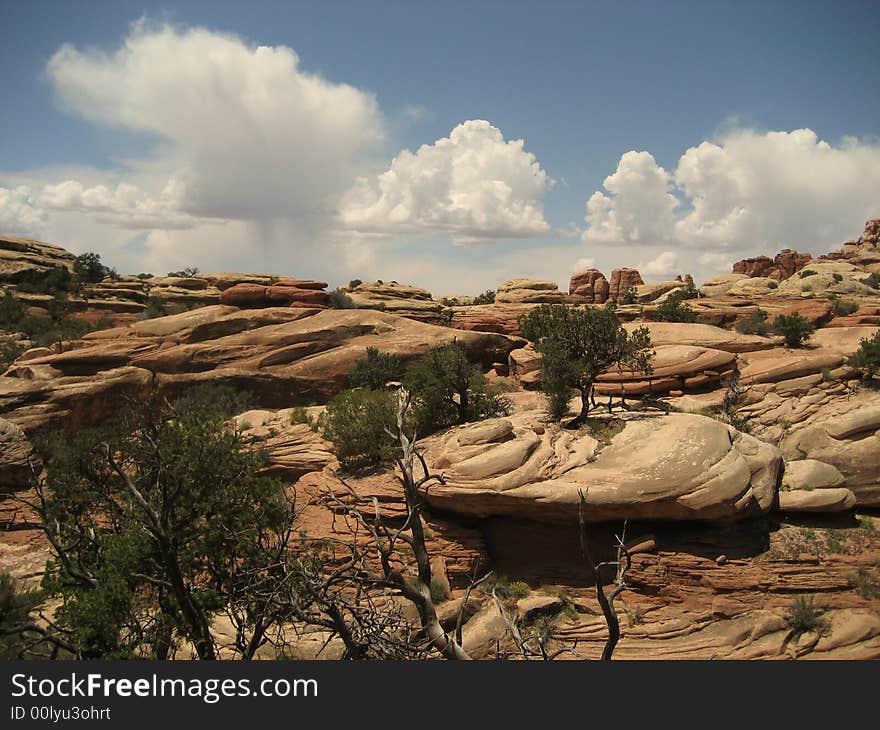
(576, 345)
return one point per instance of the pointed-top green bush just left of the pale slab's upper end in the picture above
(448, 389)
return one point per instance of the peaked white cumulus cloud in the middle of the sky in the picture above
(472, 184)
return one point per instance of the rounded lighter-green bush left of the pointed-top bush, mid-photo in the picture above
(357, 421)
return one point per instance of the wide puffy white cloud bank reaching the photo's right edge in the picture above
(749, 192)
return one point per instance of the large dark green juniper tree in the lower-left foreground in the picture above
(131, 583)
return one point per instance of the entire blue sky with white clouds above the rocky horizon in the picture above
(582, 84)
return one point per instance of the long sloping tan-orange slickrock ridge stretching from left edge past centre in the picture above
(283, 357)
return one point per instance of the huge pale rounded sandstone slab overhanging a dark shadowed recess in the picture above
(670, 467)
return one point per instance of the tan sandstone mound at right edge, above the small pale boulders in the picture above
(850, 442)
